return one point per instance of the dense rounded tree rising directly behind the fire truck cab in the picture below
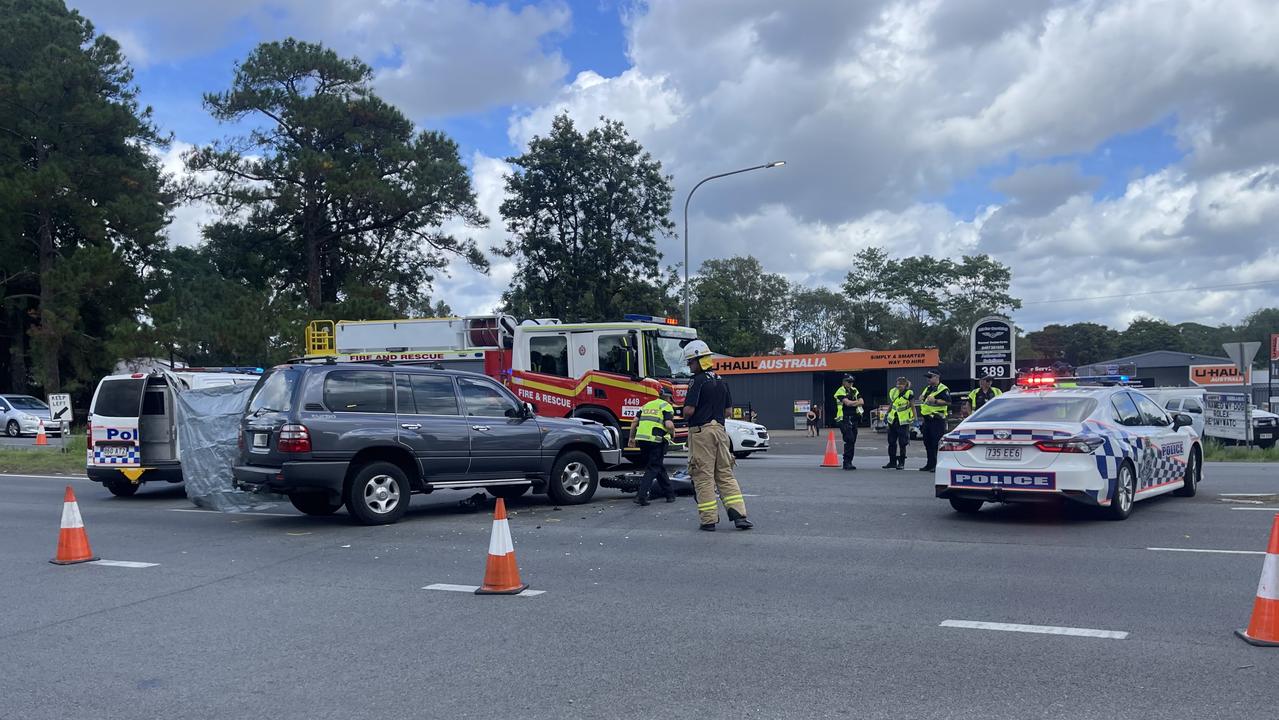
(585, 212)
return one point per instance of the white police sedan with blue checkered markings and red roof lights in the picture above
(1107, 446)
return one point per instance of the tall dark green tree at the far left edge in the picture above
(82, 198)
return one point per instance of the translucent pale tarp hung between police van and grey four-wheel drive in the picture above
(208, 423)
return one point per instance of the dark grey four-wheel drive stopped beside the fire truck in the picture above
(369, 437)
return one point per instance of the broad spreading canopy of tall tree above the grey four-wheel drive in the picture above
(347, 196)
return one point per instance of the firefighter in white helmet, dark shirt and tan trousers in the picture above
(710, 461)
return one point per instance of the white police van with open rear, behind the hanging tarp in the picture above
(132, 435)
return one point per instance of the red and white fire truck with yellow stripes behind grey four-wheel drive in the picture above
(589, 370)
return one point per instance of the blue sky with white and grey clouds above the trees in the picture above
(1098, 149)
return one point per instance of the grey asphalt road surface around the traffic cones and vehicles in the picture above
(832, 608)
